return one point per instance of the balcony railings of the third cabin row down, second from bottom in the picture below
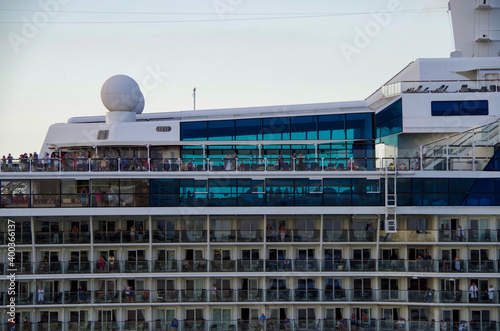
(258, 295)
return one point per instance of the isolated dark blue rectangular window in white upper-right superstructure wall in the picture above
(459, 108)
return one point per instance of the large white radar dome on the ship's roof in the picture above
(121, 93)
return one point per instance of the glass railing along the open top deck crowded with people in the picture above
(270, 164)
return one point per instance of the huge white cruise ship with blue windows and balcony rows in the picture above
(378, 214)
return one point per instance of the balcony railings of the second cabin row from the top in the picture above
(341, 265)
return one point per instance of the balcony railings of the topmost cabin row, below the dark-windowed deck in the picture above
(289, 236)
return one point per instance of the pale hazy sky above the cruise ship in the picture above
(55, 55)
